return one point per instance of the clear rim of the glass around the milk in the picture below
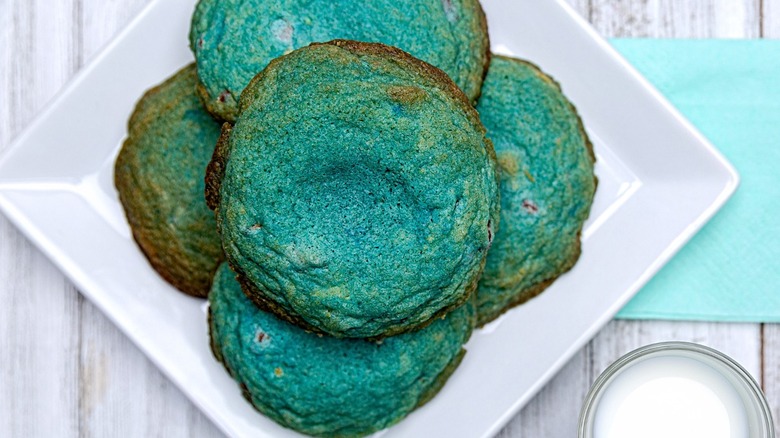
(764, 414)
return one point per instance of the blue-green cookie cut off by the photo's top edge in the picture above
(235, 39)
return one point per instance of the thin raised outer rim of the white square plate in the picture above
(56, 255)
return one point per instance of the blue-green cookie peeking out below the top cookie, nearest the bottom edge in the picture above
(325, 386)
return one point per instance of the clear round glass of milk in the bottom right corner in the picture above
(675, 390)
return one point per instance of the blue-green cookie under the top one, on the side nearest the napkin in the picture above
(547, 183)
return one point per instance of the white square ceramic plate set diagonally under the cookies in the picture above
(659, 182)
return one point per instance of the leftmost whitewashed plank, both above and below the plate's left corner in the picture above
(39, 318)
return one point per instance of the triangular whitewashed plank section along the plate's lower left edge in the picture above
(124, 394)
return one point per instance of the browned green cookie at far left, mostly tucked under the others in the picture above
(159, 175)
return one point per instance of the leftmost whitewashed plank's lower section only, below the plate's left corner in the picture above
(39, 323)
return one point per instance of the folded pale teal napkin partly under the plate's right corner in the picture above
(729, 89)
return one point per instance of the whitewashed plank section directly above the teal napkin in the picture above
(677, 19)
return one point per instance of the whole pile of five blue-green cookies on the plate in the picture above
(370, 209)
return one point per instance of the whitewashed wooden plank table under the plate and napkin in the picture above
(66, 371)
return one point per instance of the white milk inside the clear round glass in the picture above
(670, 397)
